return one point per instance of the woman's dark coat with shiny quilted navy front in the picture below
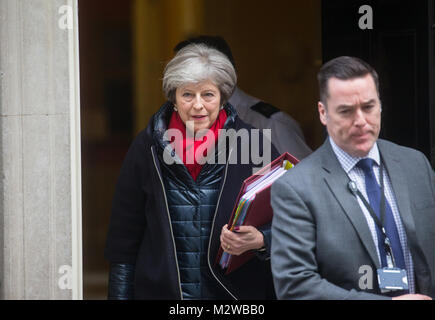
(147, 245)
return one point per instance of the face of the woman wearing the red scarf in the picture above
(198, 104)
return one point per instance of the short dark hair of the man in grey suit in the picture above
(344, 68)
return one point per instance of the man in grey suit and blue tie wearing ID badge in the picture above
(331, 234)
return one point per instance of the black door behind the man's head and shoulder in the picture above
(401, 48)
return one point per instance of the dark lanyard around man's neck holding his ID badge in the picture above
(380, 223)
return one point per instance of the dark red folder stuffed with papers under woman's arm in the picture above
(253, 205)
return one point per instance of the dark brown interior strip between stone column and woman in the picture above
(106, 76)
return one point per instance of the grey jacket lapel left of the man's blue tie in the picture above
(337, 181)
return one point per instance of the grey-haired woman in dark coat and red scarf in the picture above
(171, 207)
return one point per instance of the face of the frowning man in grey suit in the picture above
(352, 114)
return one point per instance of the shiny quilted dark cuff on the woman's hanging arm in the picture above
(121, 281)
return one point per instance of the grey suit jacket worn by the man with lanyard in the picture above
(322, 247)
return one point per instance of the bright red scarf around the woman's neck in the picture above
(193, 166)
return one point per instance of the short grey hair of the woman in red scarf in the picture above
(195, 63)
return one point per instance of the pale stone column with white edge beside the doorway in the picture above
(40, 191)
